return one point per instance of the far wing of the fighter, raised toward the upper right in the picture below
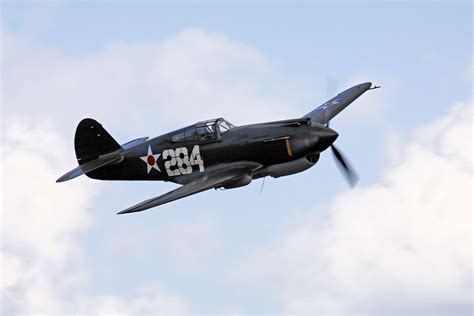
(331, 108)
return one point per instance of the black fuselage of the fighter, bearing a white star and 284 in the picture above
(281, 147)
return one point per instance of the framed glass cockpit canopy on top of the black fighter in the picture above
(204, 131)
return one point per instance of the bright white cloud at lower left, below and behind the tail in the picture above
(41, 225)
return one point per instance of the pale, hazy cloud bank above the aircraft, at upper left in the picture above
(159, 85)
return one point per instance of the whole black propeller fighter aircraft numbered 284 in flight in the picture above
(213, 154)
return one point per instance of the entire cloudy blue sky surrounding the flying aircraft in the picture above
(399, 243)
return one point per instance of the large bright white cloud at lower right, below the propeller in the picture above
(402, 245)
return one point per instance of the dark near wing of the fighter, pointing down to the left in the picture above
(217, 177)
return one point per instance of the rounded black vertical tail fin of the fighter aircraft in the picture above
(92, 141)
